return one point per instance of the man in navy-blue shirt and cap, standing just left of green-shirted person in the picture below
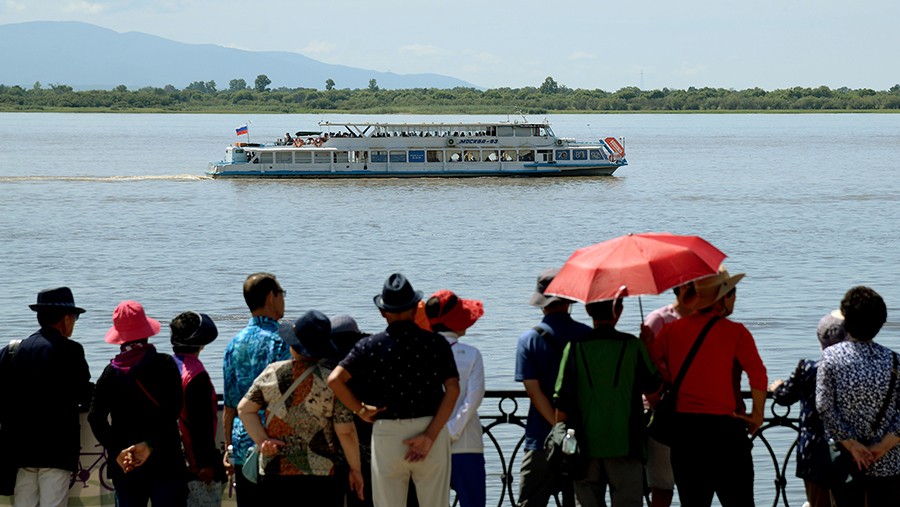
(538, 356)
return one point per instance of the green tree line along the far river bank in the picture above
(550, 96)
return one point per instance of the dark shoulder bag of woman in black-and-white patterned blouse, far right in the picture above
(834, 463)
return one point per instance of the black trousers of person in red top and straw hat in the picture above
(712, 456)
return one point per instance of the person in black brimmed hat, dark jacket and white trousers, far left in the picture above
(47, 376)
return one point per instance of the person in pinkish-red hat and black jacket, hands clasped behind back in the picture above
(140, 393)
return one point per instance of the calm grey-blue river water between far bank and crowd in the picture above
(116, 207)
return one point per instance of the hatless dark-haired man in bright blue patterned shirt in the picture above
(246, 356)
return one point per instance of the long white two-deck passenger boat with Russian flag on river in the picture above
(426, 150)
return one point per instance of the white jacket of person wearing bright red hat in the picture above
(464, 424)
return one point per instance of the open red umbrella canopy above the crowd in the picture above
(643, 263)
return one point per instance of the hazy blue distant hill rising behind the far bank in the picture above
(89, 57)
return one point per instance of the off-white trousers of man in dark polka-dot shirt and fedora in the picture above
(391, 472)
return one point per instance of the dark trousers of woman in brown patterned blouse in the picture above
(318, 490)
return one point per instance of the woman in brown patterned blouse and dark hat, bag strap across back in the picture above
(304, 421)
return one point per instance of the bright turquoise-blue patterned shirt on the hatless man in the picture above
(246, 356)
